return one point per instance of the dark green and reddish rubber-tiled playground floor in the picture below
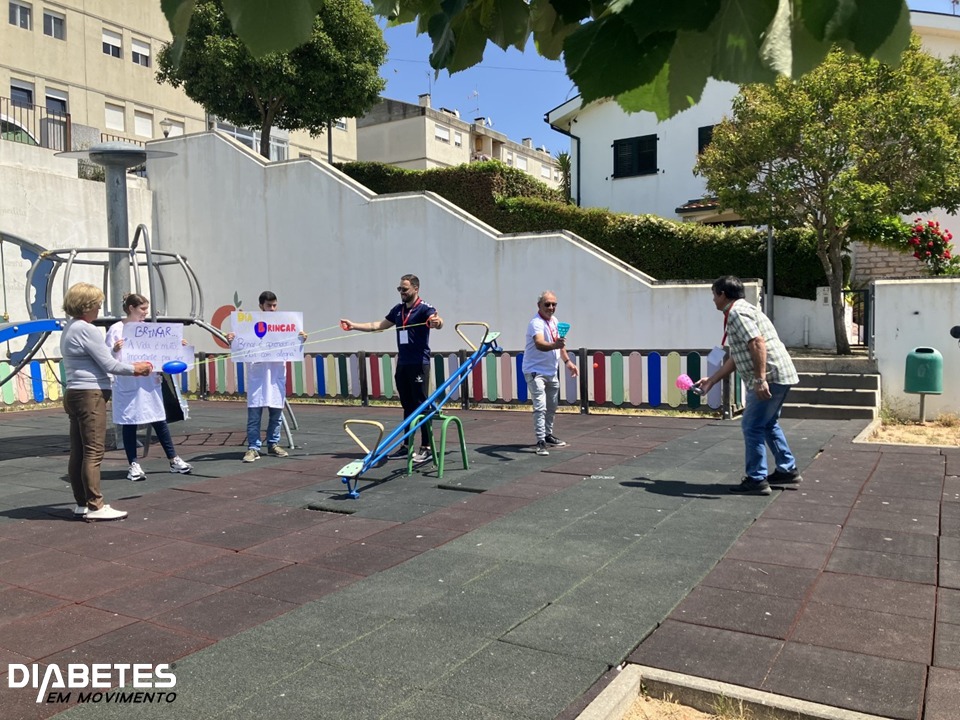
(509, 590)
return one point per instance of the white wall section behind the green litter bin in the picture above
(911, 314)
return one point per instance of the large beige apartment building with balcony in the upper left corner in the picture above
(77, 72)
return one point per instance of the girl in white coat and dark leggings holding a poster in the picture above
(139, 400)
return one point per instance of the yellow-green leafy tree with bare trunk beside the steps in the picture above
(849, 144)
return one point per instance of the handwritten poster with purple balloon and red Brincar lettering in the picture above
(266, 337)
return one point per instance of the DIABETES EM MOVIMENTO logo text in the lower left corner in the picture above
(93, 682)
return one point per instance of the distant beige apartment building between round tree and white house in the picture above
(420, 137)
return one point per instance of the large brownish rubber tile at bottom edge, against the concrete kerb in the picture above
(854, 681)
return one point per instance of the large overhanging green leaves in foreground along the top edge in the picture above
(648, 54)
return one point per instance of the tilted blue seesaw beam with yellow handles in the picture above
(351, 472)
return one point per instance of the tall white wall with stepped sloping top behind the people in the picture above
(331, 249)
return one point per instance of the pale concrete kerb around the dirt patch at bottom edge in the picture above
(616, 700)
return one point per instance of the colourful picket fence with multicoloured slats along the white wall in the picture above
(608, 378)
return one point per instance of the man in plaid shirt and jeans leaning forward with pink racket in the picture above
(758, 354)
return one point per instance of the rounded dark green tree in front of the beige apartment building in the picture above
(334, 73)
